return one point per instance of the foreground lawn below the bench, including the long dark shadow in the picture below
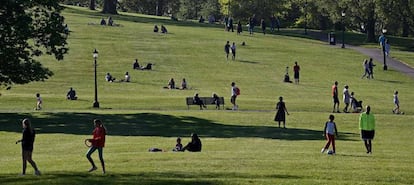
(238, 148)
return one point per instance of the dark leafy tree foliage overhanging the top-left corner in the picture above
(28, 29)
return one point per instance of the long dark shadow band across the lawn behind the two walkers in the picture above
(153, 124)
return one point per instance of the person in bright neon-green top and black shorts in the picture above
(367, 127)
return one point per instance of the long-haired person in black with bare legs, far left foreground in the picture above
(27, 141)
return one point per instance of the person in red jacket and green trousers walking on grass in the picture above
(98, 143)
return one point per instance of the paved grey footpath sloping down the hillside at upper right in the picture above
(373, 53)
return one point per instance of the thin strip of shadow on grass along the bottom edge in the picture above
(148, 178)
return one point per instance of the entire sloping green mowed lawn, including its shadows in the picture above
(239, 147)
